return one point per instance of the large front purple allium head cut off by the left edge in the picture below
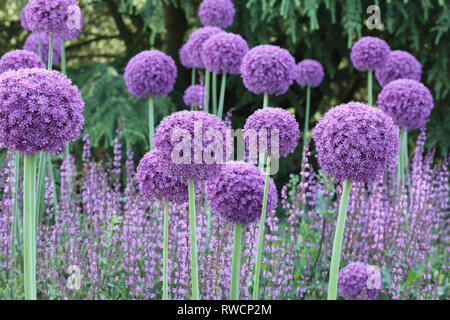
(40, 110)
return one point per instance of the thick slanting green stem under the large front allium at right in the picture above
(337, 245)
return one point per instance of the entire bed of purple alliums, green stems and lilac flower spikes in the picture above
(200, 217)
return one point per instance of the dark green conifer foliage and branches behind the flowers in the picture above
(324, 30)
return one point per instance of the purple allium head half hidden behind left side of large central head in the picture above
(157, 182)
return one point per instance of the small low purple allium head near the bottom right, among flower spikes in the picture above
(355, 281)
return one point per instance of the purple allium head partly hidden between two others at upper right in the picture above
(400, 65)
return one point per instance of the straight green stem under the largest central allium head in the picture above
(193, 238)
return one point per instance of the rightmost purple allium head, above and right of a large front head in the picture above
(407, 101)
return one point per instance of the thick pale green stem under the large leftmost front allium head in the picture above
(29, 239)
